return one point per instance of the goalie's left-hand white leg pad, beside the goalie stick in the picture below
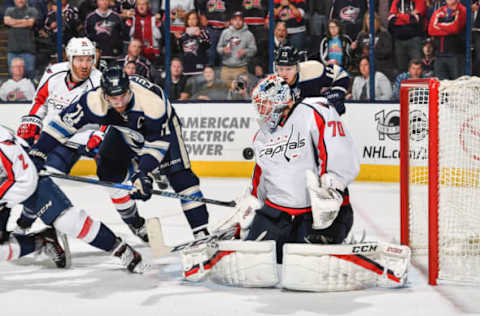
(244, 263)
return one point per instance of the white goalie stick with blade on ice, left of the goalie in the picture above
(160, 249)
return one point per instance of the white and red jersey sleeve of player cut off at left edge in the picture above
(18, 175)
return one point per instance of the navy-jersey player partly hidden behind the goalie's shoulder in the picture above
(312, 78)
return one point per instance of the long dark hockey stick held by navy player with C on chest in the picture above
(130, 187)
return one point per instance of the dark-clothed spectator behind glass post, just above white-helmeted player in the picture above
(71, 24)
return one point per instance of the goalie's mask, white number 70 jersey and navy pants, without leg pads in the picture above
(296, 138)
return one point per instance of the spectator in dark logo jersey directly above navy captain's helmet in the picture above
(105, 27)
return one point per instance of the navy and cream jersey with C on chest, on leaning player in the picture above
(149, 113)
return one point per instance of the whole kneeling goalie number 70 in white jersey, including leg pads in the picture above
(297, 211)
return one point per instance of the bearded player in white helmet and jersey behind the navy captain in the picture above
(62, 84)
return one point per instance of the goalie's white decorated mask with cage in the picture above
(270, 98)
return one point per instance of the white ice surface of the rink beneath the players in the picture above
(97, 285)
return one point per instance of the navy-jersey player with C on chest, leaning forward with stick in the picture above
(144, 135)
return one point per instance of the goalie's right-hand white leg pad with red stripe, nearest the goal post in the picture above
(326, 268)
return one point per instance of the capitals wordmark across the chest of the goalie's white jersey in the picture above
(288, 145)
